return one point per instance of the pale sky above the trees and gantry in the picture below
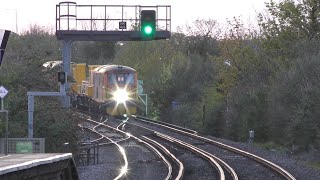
(20, 14)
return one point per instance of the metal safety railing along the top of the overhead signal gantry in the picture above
(70, 16)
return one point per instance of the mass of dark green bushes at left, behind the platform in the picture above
(21, 72)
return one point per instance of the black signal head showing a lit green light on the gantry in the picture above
(148, 24)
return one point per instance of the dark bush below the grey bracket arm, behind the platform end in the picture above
(54, 123)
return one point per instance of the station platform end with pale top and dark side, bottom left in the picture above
(37, 166)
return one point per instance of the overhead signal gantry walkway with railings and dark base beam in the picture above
(107, 22)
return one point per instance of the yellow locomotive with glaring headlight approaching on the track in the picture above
(108, 89)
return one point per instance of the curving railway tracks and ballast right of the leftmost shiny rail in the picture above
(184, 154)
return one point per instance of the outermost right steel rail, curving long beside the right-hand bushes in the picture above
(265, 162)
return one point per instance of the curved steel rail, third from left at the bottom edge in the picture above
(168, 153)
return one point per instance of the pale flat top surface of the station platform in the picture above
(16, 162)
